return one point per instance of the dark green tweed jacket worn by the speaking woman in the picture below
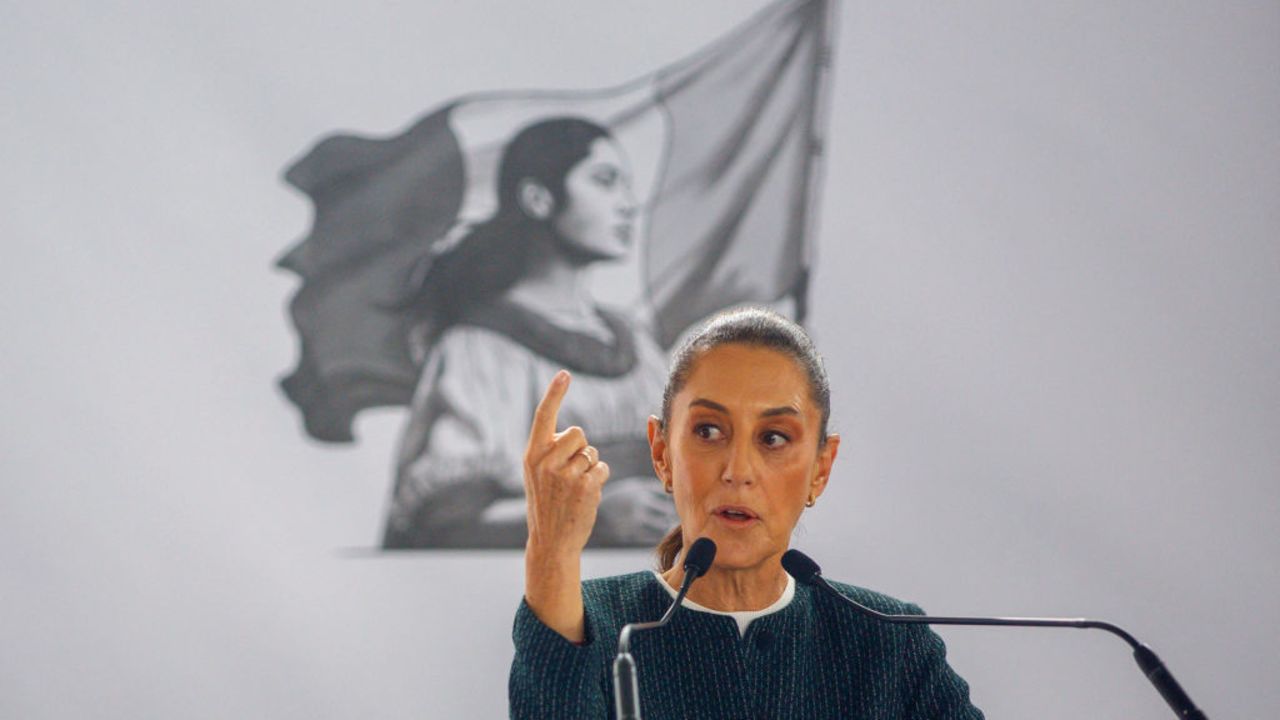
(815, 659)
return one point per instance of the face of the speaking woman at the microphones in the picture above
(742, 453)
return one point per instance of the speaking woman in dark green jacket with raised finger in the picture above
(743, 448)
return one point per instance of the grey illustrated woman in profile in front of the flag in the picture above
(501, 312)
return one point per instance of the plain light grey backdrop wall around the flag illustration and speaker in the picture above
(1048, 294)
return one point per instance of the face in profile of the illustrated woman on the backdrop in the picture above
(600, 213)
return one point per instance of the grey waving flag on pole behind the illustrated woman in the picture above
(724, 148)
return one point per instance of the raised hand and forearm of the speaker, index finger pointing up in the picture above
(564, 476)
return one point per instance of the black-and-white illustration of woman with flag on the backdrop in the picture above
(451, 268)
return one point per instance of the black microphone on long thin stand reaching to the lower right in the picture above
(806, 571)
